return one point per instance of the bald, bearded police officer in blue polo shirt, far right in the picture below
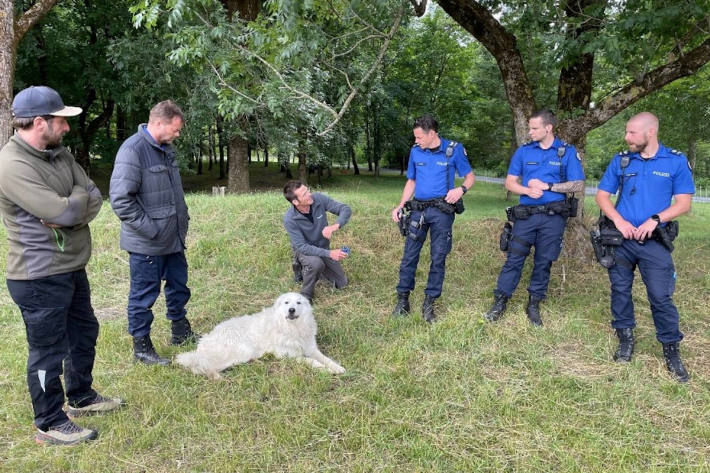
(649, 176)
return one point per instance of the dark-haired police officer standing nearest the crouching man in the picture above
(430, 179)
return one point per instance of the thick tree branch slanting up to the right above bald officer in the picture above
(684, 66)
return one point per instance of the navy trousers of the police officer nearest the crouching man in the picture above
(439, 224)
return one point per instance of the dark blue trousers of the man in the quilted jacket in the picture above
(147, 272)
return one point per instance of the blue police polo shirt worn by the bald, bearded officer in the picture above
(649, 184)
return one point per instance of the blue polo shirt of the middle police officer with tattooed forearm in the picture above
(530, 161)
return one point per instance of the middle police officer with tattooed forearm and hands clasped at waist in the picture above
(548, 169)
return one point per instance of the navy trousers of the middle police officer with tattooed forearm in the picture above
(545, 233)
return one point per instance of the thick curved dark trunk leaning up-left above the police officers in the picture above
(480, 22)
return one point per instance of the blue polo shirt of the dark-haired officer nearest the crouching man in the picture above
(429, 167)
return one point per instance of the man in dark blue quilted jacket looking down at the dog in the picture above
(146, 194)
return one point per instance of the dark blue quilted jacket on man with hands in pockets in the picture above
(146, 194)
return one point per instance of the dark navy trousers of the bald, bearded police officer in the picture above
(658, 273)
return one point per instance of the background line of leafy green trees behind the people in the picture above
(338, 82)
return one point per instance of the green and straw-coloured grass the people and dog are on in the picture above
(461, 395)
